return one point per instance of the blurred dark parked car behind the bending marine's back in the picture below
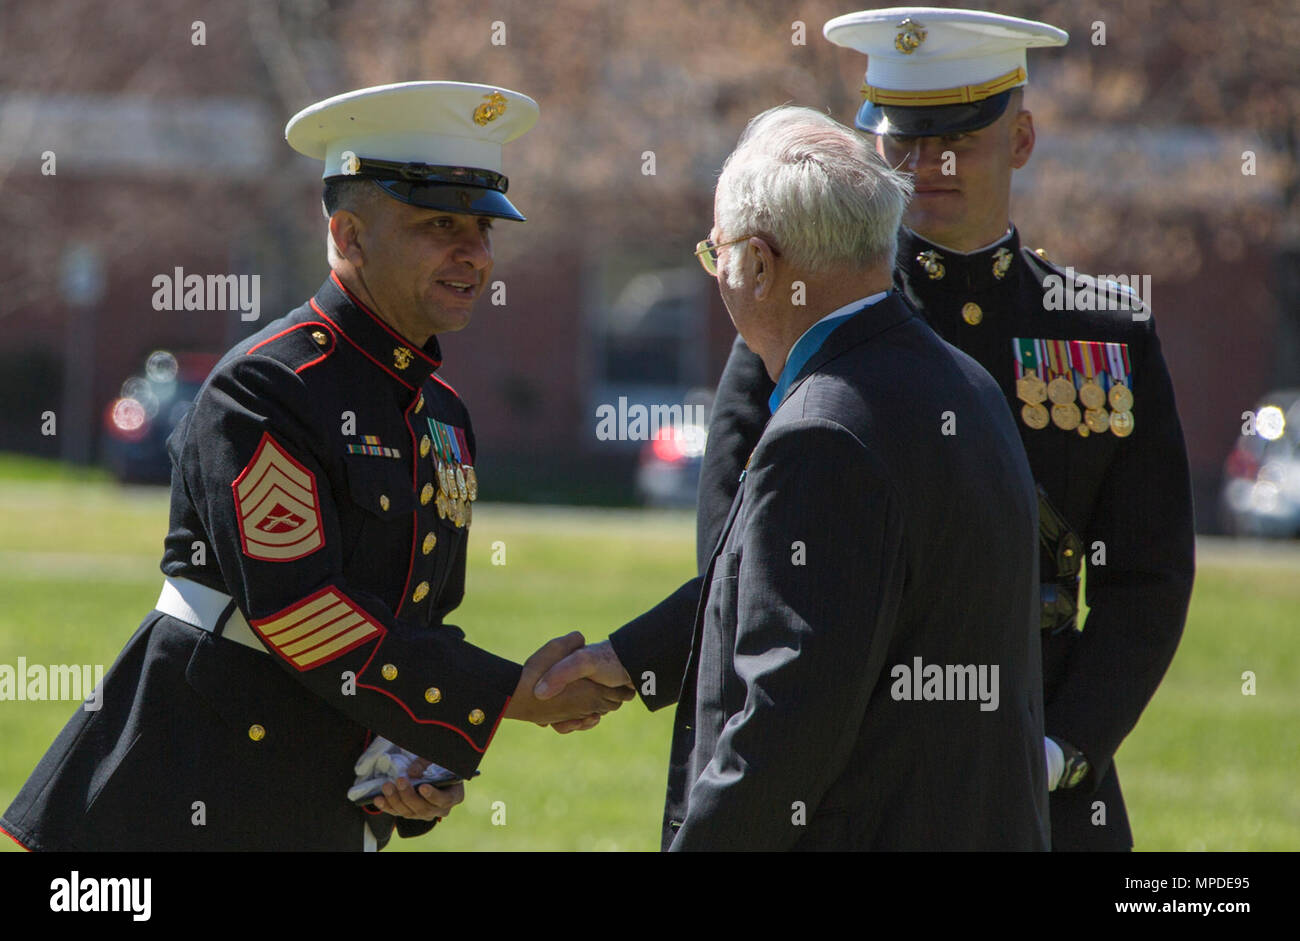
(138, 422)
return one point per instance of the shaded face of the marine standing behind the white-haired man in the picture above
(969, 206)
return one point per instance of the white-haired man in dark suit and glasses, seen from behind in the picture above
(864, 670)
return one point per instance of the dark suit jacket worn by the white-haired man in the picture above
(837, 570)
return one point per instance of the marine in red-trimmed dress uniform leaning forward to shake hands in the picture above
(322, 492)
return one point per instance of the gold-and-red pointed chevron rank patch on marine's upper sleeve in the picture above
(276, 502)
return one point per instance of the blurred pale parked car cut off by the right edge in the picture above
(1262, 476)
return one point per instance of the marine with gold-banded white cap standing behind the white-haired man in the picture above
(1089, 388)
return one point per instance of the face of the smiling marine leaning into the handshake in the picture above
(426, 268)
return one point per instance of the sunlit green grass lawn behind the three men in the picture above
(1207, 769)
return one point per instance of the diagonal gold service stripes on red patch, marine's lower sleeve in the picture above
(318, 630)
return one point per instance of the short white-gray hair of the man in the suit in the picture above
(816, 188)
